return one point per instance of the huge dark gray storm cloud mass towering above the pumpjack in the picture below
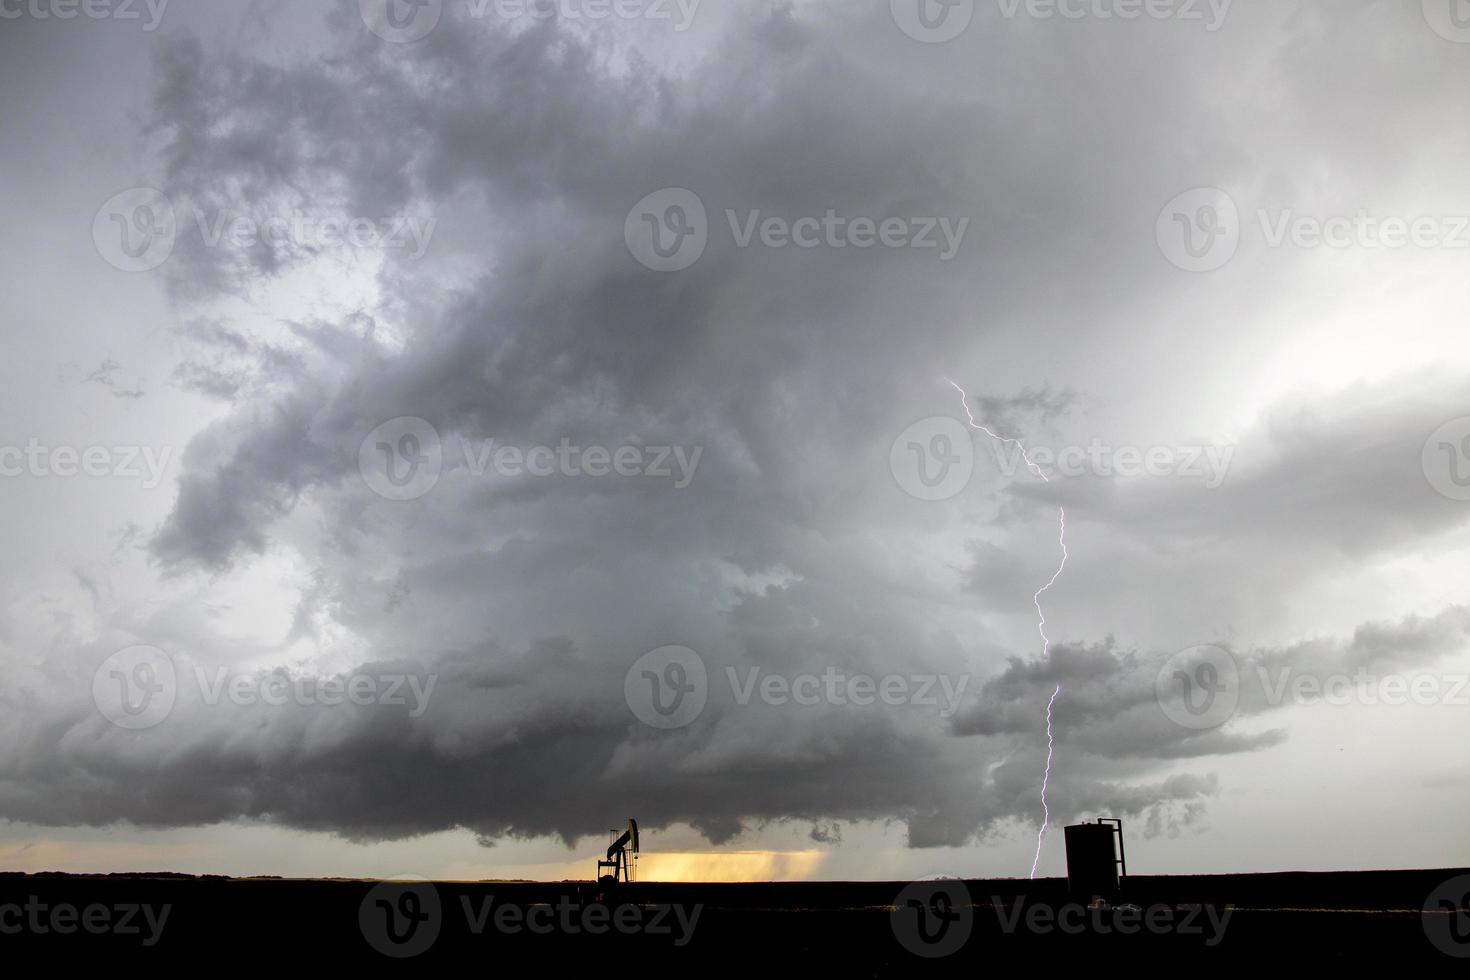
(528, 321)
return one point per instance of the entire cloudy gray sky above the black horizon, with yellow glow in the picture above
(1206, 264)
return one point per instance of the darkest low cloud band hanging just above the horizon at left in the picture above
(511, 746)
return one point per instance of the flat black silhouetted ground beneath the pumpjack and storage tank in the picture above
(1187, 923)
